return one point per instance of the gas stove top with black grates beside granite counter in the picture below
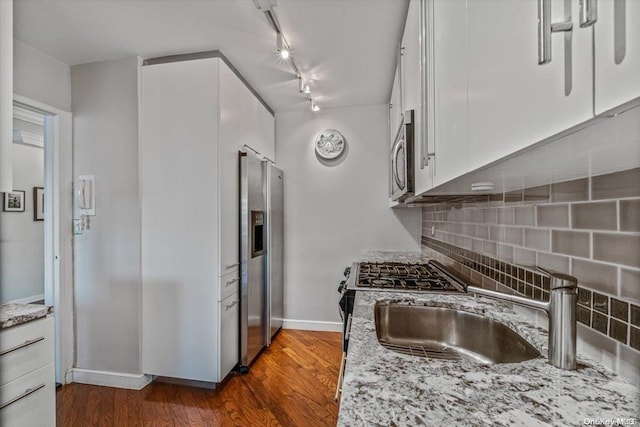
(397, 276)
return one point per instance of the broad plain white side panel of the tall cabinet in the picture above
(179, 181)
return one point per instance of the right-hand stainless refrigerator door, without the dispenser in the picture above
(275, 251)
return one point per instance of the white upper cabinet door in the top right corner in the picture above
(617, 53)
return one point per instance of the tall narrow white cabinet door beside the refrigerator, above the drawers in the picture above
(228, 170)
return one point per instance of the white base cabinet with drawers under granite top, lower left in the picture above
(28, 384)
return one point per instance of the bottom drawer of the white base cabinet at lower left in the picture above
(30, 400)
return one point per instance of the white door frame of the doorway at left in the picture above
(58, 240)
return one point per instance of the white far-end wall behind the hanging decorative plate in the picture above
(333, 210)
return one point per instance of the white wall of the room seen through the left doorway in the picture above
(22, 242)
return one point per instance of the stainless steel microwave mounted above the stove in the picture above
(401, 171)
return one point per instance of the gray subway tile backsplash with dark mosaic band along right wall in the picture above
(562, 227)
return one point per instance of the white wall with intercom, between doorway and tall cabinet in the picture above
(107, 255)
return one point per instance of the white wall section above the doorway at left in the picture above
(41, 77)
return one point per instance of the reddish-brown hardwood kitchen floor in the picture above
(292, 384)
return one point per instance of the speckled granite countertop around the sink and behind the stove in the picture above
(384, 388)
